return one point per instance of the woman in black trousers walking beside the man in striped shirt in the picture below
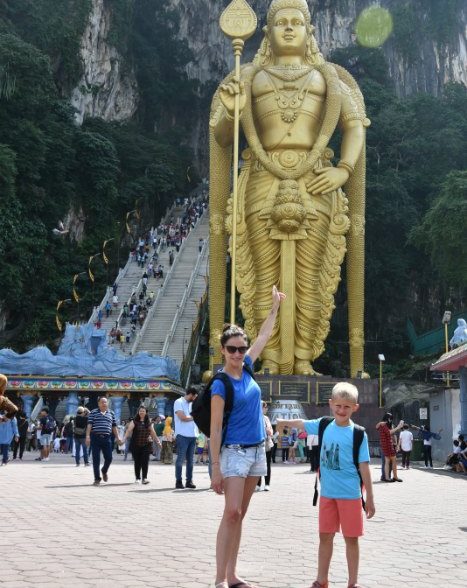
(142, 434)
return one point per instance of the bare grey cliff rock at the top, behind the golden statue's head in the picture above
(334, 20)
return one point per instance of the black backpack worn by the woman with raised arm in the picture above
(201, 408)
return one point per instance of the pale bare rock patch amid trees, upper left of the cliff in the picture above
(106, 90)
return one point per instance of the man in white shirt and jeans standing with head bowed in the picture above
(185, 434)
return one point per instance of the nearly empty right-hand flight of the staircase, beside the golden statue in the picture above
(174, 312)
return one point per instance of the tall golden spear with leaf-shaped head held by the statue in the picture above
(238, 22)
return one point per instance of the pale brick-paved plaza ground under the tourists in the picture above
(58, 530)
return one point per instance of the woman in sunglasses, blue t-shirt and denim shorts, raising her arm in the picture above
(237, 465)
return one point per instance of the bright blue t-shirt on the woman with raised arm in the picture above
(246, 423)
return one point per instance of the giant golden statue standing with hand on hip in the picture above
(295, 224)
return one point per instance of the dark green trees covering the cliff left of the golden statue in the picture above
(50, 167)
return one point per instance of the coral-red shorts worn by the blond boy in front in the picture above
(338, 514)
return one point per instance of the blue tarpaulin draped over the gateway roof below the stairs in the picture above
(85, 352)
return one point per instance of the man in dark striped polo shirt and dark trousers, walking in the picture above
(101, 425)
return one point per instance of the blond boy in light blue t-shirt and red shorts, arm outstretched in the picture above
(340, 505)
